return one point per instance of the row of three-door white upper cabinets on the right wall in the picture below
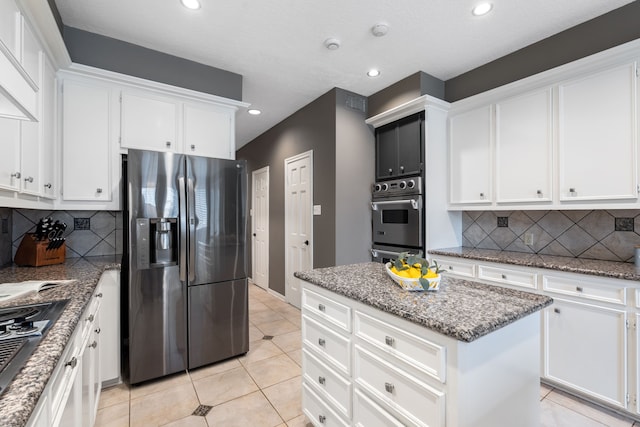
(569, 144)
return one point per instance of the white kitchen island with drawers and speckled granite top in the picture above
(465, 355)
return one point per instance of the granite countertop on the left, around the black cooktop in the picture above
(19, 400)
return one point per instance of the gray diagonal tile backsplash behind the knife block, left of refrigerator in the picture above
(89, 233)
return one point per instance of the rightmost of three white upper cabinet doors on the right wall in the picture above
(597, 138)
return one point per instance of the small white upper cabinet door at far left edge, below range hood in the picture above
(10, 175)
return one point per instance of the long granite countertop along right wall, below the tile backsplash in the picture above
(616, 270)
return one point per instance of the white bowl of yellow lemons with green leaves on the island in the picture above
(413, 273)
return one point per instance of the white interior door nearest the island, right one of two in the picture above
(298, 221)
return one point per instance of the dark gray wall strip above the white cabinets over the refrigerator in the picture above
(126, 58)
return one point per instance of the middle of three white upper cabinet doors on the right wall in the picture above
(524, 148)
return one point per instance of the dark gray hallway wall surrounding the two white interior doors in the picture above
(310, 128)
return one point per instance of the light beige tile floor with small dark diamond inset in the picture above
(262, 388)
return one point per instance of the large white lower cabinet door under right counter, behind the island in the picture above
(585, 349)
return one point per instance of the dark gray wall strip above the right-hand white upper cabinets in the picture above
(601, 33)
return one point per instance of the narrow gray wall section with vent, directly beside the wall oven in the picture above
(355, 160)
